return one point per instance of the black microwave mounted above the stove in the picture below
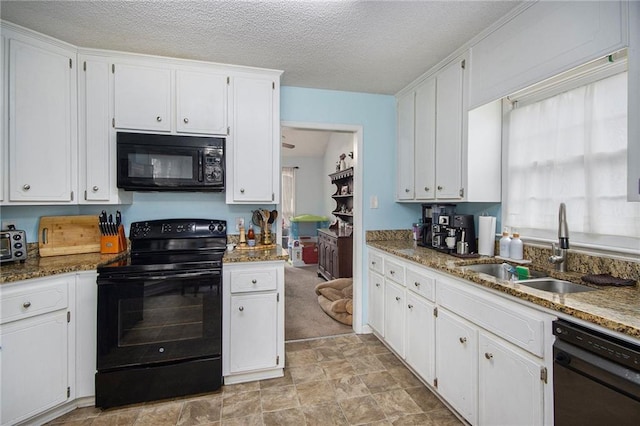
(152, 162)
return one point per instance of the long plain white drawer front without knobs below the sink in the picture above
(516, 324)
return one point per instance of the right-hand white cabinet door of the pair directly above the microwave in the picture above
(201, 100)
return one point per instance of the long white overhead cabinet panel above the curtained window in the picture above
(544, 40)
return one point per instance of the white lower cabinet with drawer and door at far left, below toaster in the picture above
(35, 336)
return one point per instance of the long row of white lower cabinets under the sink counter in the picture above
(488, 356)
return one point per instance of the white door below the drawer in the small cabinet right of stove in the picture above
(253, 332)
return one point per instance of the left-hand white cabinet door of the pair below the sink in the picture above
(456, 363)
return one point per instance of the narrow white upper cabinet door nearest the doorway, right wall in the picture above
(405, 148)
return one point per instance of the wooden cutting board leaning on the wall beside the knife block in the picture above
(60, 235)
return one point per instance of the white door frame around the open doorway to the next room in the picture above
(358, 232)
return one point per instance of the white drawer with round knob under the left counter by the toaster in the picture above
(27, 299)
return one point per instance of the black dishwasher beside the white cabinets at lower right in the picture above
(596, 377)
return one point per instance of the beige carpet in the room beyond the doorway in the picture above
(303, 317)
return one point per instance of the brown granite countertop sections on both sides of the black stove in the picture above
(38, 267)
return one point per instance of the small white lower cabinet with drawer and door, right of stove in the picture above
(253, 321)
